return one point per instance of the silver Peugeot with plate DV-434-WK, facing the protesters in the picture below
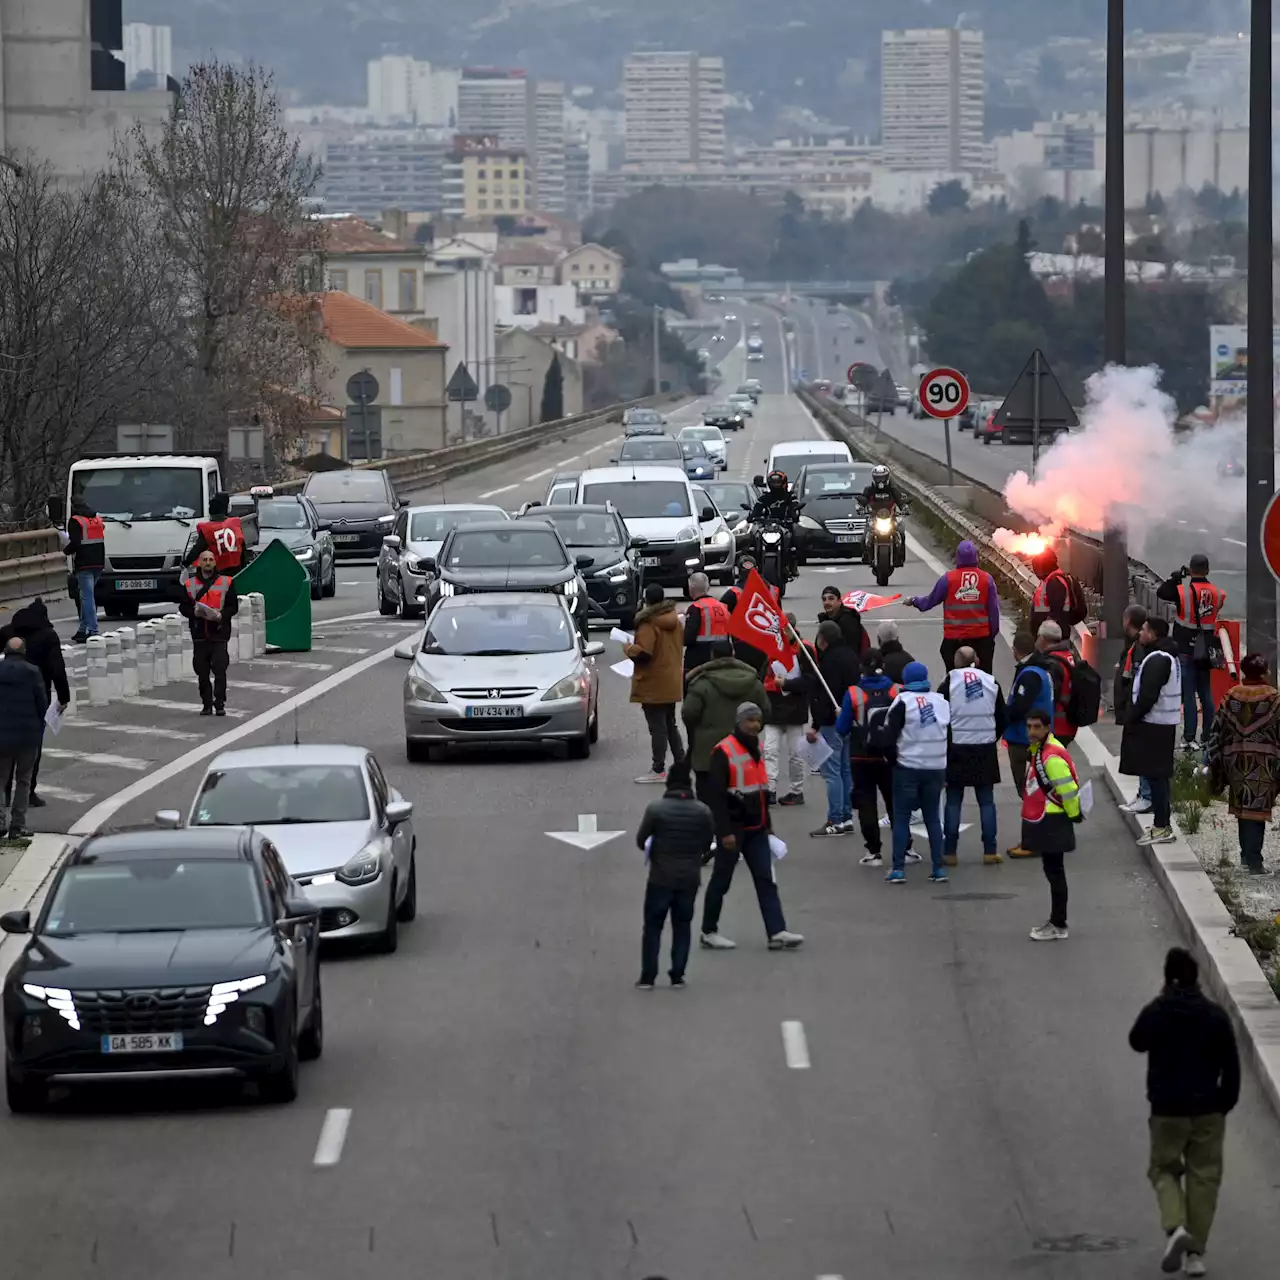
(501, 668)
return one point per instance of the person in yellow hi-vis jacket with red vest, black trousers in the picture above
(1052, 810)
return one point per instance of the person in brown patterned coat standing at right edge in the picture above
(1245, 756)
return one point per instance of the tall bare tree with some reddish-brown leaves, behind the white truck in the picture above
(228, 188)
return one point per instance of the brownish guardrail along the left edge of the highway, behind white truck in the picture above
(33, 565)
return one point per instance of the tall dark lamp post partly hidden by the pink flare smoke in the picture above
(1116, 554)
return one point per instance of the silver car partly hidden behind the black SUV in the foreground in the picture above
(345, 833)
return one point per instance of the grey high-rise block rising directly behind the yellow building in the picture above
(525, 116)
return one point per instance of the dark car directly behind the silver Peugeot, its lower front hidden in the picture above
(510, 556)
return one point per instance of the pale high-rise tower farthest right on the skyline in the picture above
(932, 95)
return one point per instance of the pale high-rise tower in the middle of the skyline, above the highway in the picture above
(675, 111)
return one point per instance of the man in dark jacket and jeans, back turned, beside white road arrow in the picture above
(683, 833)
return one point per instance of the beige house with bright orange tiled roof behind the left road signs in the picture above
(409, 364)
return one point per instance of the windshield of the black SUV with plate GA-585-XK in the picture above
(157, 895)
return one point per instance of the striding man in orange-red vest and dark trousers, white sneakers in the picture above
(737, 794)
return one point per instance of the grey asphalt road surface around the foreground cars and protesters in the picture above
(518, 1112)
